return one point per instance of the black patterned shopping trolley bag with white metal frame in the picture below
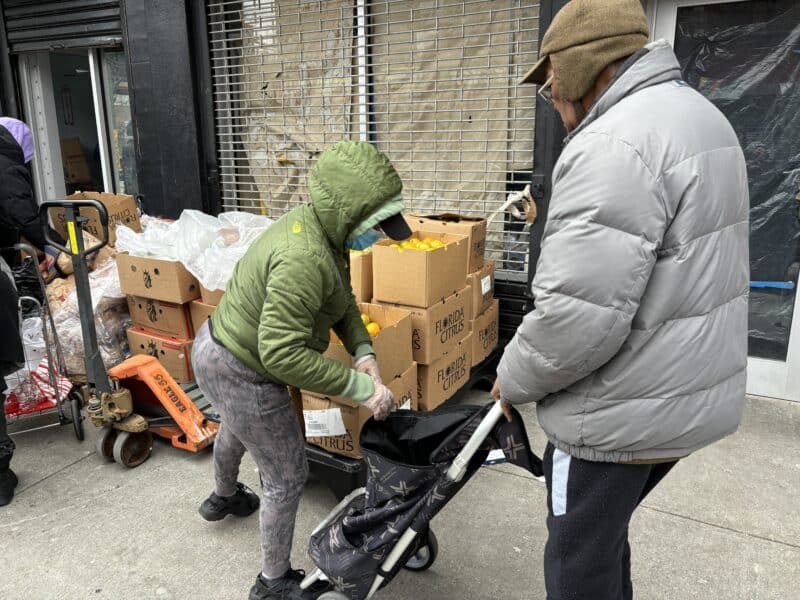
(416, 462)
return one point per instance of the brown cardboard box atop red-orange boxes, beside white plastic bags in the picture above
(157, 279)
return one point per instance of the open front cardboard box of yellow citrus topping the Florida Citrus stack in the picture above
(417, 277)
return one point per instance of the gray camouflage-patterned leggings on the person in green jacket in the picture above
(256, 416)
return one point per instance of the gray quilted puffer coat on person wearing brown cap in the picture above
(637, 346)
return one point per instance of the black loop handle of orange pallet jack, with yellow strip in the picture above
(96, 375)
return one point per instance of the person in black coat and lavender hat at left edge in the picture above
(19, 217)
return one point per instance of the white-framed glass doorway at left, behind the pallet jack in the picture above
(77, 103)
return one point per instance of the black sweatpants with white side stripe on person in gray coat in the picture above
(590, 504)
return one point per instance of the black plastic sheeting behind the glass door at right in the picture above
(745, 57)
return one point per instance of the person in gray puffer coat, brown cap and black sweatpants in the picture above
(636, 350)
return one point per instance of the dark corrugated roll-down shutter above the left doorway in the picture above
(44, 25)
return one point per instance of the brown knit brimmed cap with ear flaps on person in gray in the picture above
(584, 38)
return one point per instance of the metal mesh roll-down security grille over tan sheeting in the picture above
(432, 83)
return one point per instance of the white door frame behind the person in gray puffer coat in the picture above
(772, 378)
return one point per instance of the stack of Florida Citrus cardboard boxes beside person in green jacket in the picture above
(438, 319)
